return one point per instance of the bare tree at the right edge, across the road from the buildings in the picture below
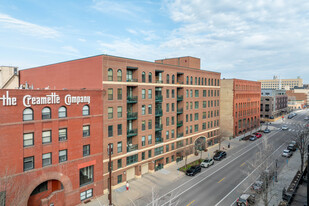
(301, 137)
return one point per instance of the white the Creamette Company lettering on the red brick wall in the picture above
(52, 98)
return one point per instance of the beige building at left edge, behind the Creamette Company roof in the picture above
(9, 77)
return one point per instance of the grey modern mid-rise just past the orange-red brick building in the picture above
(274, 103)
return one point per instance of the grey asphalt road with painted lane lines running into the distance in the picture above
(222, 183)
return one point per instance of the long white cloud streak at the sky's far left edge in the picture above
(8, 22)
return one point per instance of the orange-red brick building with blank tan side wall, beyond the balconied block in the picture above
(240, 106)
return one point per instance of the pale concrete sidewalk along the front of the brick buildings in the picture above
(141, 187)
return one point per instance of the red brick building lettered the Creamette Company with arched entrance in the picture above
(51, 146)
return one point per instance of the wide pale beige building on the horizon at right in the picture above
(277, 83)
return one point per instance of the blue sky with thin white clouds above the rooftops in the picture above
(247, 39)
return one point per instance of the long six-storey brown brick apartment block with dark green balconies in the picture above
(152, 110)
